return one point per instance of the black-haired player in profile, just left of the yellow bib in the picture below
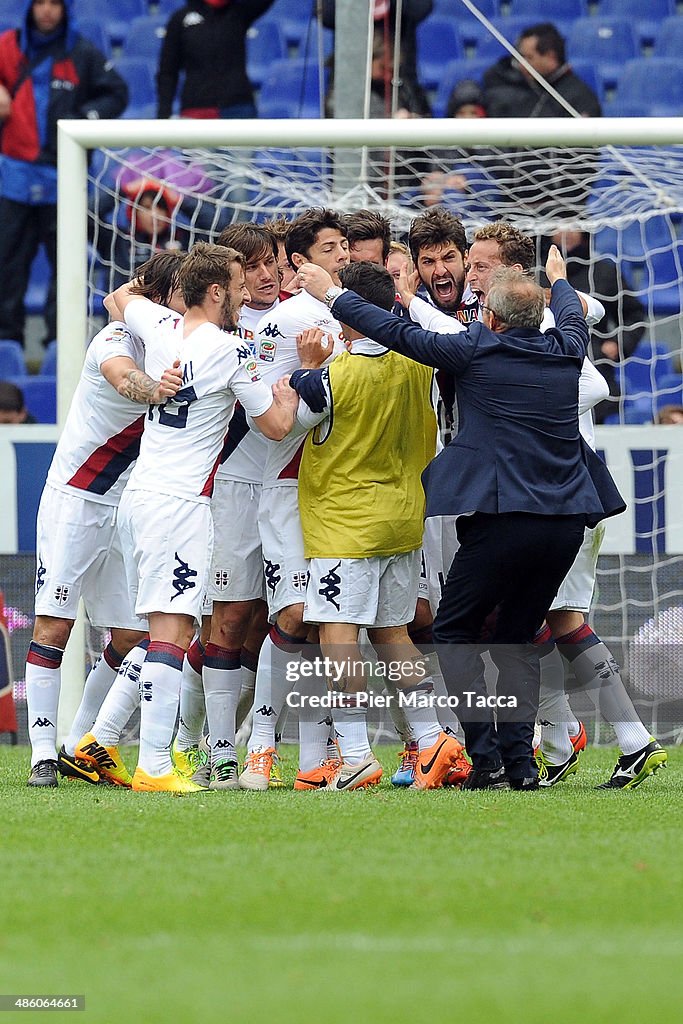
(318, 236)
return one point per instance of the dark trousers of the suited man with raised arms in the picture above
(511, 565)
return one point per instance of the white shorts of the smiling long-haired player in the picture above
(237, 567)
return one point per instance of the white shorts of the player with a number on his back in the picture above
(167, 544)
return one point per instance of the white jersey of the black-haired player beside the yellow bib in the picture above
(278, 357)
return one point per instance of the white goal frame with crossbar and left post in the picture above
(76, 138)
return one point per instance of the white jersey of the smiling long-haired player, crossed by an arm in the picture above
(244, 453)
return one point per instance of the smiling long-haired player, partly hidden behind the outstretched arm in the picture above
(236, 581)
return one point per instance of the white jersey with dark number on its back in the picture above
(183, 440)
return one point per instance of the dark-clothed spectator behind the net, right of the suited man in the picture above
(618, 334)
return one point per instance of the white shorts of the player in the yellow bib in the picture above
(364, 591)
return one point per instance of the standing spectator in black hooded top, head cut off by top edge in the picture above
(207, 40)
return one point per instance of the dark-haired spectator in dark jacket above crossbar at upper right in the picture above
(511, 93)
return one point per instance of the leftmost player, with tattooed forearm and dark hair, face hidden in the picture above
(78, 547)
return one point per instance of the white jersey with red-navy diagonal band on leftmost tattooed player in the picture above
(102, 437)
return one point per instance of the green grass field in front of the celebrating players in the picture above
(356, 909)
